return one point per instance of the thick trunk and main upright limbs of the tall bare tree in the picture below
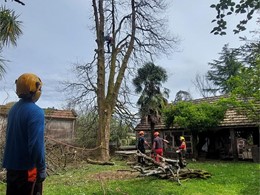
(107, 102)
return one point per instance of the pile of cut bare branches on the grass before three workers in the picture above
(174, 169)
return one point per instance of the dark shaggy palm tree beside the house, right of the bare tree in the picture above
(148, 83)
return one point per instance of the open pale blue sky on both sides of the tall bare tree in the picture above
(57, 34)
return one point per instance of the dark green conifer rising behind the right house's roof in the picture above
(223, 69)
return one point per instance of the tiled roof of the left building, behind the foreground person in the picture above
(49, 112)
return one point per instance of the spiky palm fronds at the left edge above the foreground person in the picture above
(9, 32)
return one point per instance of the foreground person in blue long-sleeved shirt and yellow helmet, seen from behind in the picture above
(24, 154)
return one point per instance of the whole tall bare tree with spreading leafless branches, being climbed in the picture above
(138, 32)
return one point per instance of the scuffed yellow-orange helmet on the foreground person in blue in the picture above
(28, 86)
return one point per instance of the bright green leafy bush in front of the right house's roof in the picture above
(195, 117)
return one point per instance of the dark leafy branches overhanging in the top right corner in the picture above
(229, 7)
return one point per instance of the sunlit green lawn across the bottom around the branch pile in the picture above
(228, 178)
